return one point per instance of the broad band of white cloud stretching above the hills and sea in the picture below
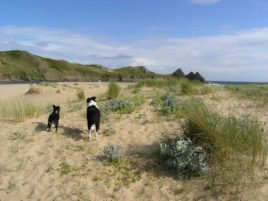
(240, 56)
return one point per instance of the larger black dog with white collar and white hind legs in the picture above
(93, 117)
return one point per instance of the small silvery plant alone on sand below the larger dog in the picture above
(112, 153)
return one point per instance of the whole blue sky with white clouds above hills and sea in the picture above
(224, 40)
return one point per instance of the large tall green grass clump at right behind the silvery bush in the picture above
(236, 146)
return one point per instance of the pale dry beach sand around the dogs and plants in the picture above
(37, 165)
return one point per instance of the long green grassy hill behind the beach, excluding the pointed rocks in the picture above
(20, 65)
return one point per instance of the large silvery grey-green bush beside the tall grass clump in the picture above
(180, 155)
